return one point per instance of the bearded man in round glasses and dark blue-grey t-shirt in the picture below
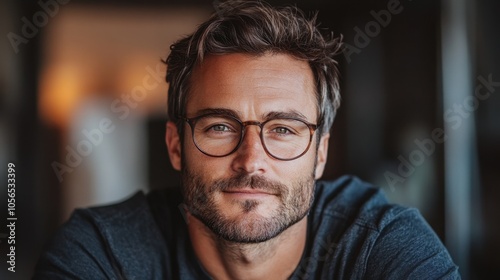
(253, 94)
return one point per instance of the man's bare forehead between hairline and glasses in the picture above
(253, 86)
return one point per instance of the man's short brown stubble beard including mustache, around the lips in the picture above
(294, 204)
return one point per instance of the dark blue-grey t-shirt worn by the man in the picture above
(353, 233)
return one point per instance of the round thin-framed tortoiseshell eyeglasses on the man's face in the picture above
(221, 135)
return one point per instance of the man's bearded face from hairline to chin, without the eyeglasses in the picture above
(249, 196)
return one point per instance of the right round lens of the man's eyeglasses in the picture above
(286, 138)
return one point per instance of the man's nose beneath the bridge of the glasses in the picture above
(251, 158)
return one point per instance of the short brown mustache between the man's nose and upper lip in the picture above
(245, 181)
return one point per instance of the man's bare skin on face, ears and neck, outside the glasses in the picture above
(257, 203)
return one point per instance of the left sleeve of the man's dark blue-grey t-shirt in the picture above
(76, 251)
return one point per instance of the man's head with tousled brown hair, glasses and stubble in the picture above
(248, 93)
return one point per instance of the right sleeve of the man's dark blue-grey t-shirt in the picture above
(408, 248)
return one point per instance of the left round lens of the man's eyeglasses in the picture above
(217, 135)
